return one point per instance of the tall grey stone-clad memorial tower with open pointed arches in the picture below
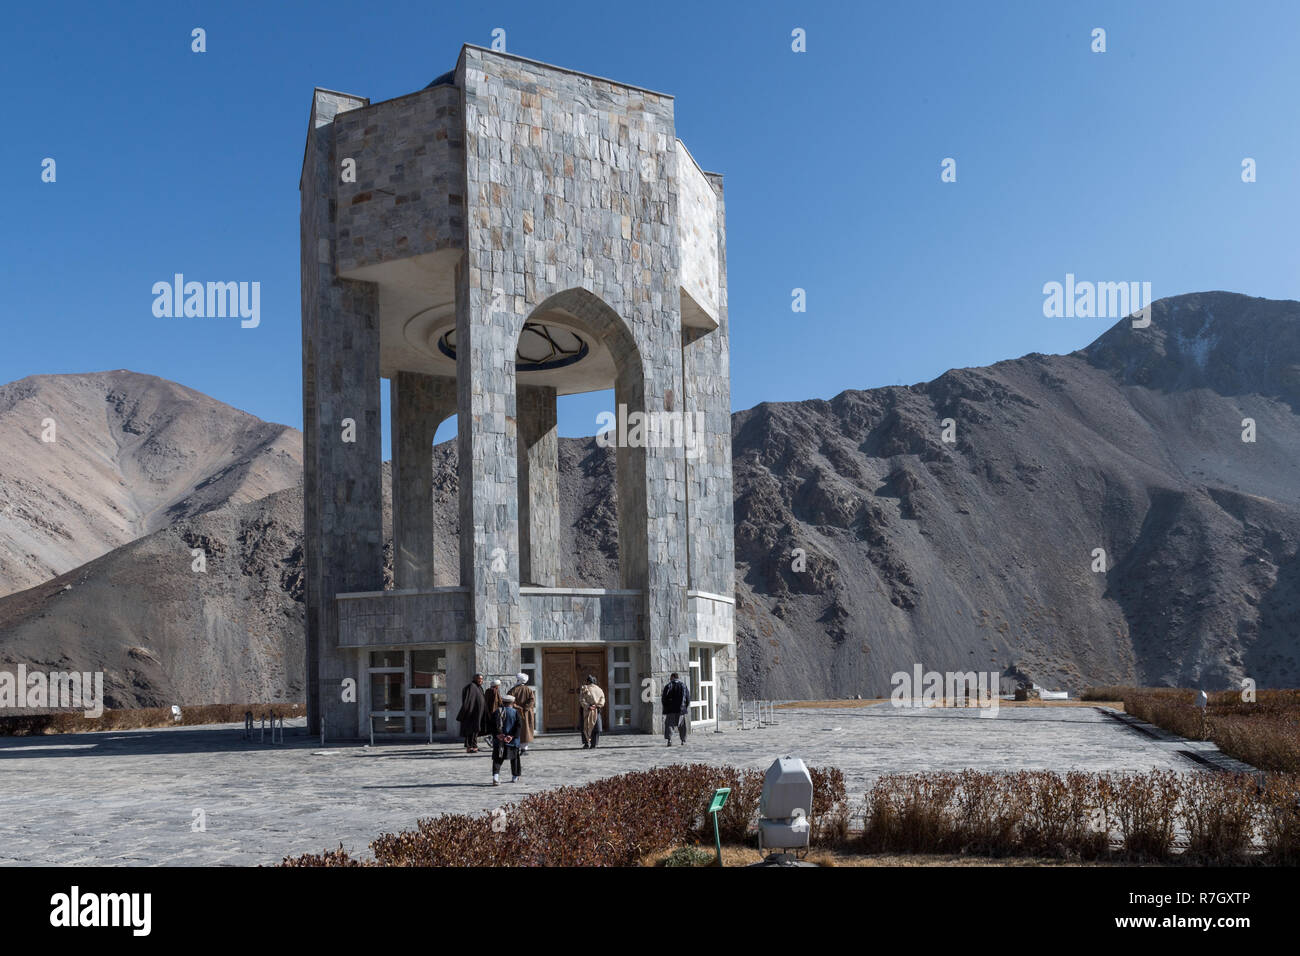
(512, 233)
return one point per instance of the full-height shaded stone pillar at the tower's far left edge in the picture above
(343, 445)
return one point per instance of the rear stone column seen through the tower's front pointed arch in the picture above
(539, 487)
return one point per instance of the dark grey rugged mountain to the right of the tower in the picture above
(980, 552)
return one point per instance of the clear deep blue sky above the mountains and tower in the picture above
(1124, 166)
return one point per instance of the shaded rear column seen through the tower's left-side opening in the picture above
(419, 404)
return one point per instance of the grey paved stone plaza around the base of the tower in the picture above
(129, 797)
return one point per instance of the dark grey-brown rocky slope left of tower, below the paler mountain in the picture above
(164, 633)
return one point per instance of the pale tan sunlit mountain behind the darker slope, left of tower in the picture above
(96, 461)
